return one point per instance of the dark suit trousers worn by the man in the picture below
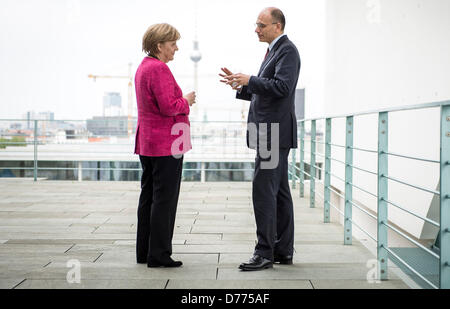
(273, 208)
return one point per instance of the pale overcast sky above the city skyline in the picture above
(48, 48)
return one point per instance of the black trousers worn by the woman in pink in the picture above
(160, 188)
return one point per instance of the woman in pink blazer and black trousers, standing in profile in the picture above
(162, 137)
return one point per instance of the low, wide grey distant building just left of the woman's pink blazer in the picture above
(110, 126)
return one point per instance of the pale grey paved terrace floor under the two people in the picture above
(45, 224)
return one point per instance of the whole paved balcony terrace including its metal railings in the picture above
(47, 224)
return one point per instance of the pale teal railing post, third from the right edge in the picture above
(348, 181)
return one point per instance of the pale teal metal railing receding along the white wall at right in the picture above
(383, 202)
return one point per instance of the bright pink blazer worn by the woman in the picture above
(163, 122)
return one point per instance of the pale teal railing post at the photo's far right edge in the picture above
(444, 268)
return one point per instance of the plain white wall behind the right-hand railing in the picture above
(389, 53)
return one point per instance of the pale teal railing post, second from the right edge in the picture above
(382, 231)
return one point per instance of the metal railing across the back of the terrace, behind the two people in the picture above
(218, 139)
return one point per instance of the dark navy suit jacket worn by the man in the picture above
(272, 93)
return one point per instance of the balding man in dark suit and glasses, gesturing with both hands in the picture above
(272, 130)
